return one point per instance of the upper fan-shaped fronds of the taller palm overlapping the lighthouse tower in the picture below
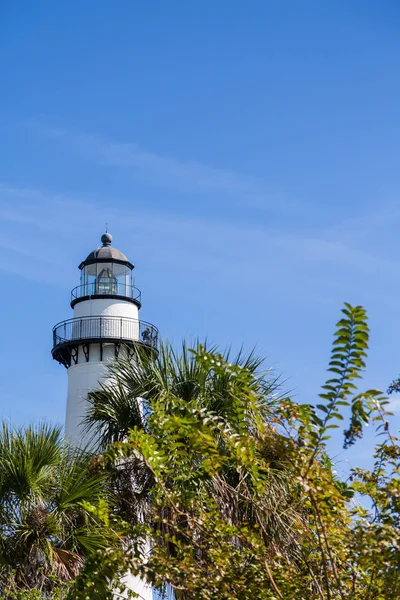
(123, 402)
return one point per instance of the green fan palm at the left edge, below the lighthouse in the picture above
(45, 531)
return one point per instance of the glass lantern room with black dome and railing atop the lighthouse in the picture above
(106, 273)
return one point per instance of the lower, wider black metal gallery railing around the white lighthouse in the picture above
(104, 328)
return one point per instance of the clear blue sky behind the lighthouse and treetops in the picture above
(245, 155)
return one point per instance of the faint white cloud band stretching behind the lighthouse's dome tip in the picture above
(315, 262)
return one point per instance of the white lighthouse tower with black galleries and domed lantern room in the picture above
(104, 327)
